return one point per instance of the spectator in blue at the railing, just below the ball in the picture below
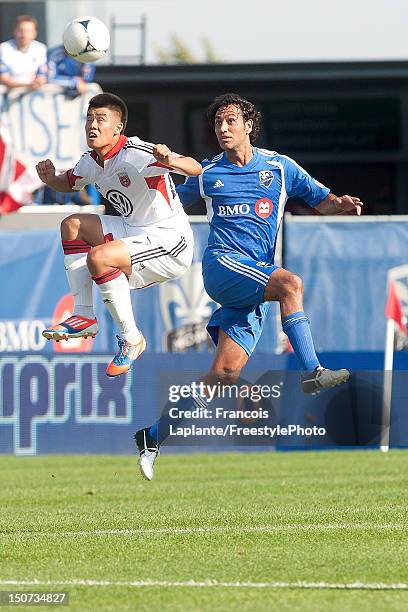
(73, 76)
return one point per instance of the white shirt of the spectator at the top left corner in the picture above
(23, 66)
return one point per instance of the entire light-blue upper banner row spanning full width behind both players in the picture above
(344, 266)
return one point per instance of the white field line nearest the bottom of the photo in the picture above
(365, 586)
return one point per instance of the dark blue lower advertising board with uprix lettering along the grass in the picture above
(52, 404)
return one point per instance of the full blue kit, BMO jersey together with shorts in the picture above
(245, 206)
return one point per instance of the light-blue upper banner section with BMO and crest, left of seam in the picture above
(172, 315)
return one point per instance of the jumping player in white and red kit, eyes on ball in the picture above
(150, 242)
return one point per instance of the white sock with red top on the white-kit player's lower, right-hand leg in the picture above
(115, 293)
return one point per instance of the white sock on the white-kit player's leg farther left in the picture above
(80, 283)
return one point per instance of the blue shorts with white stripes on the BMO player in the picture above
(237, 282)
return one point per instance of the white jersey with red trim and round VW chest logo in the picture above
(134, 182)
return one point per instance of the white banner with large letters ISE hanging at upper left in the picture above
(46, 123)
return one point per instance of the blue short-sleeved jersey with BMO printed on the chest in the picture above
(245, 204)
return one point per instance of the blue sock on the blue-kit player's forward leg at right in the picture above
(297, 327)
